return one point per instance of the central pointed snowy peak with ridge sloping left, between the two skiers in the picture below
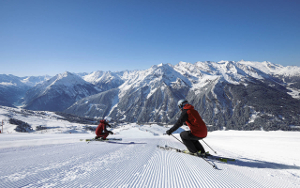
(149, 95)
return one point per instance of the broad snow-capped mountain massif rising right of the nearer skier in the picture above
(242, 97)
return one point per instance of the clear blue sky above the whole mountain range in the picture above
(49, 37)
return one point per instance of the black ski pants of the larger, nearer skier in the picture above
(191, 142)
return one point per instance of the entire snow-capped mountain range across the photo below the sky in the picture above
(239, 95)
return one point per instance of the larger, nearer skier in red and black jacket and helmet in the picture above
(198, 129)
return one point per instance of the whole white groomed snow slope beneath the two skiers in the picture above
(264, 159)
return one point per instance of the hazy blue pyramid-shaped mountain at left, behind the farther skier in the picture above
(58, 93)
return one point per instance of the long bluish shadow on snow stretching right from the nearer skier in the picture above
(262, 164)
